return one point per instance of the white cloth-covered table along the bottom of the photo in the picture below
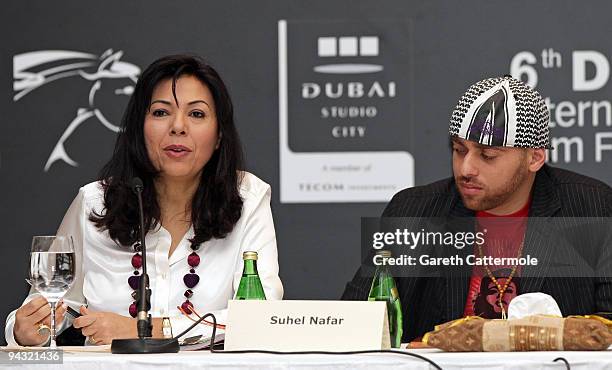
(206, 360)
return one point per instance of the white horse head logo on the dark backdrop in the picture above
(34, 69)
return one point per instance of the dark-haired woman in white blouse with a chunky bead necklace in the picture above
(201, 213)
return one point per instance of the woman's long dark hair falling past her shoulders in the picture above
(216, 205)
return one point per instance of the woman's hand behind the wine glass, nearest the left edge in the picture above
(30, 316)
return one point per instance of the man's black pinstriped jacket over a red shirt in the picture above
(556, 195)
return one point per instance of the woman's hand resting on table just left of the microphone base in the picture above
(103, 327)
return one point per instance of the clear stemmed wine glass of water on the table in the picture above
(52, 270)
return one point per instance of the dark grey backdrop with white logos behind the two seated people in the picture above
(339, 103)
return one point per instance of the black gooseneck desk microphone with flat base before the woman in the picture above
(145, 343)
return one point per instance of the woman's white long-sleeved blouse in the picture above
(103, 266)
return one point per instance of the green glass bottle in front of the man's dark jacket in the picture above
(384, 289)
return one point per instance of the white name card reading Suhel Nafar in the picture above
(307, 326)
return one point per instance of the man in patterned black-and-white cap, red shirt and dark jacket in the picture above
(499, 134)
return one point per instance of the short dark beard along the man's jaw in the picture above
(490, 201)
